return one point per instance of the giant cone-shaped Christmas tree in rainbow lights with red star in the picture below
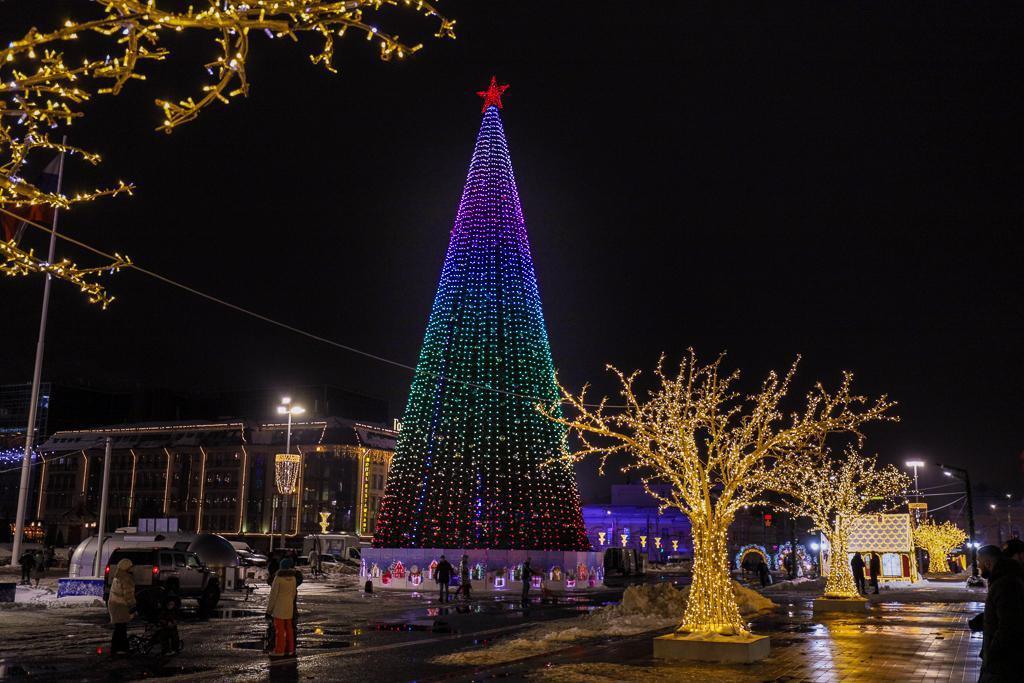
(477, 465)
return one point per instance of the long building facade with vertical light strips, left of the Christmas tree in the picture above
(215, 477)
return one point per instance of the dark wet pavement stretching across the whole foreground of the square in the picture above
(348, 636)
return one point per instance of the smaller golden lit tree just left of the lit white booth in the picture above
(833, 491)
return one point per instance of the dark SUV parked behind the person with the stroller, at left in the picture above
(177, 572)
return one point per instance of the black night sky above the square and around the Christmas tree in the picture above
(827, 180)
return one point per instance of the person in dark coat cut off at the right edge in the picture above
(1004, 617)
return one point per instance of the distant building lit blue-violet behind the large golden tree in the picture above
(632, 521)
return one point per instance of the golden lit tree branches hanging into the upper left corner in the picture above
(48, 77)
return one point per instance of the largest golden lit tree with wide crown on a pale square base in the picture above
(715, 448)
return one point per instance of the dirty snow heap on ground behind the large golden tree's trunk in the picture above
(651, 608)
